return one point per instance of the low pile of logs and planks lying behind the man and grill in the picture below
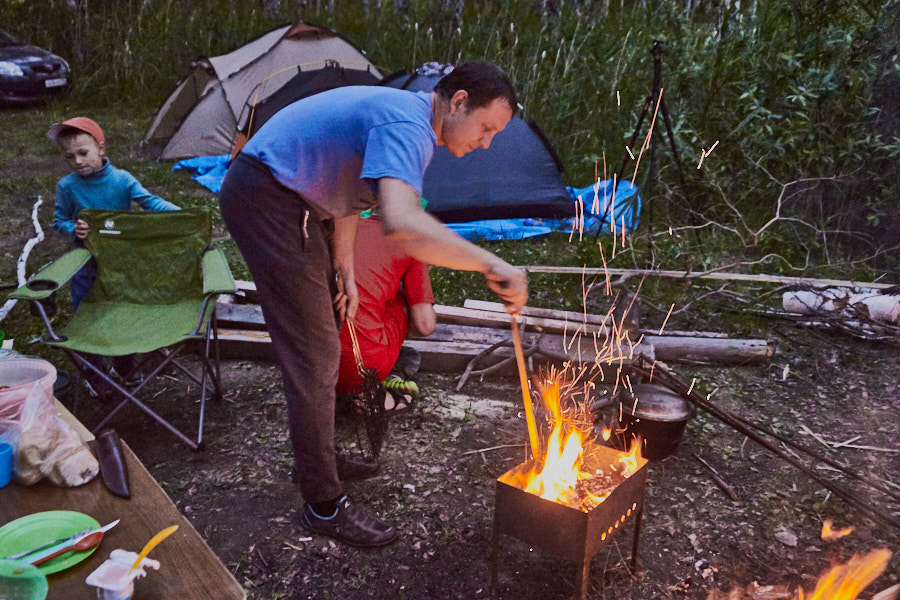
(481, 330)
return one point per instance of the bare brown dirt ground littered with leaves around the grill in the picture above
(443, 456)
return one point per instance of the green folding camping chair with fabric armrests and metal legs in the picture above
(157, 284)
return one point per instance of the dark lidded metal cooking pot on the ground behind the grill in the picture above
(656, 414)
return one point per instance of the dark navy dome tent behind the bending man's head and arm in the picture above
(519, 176)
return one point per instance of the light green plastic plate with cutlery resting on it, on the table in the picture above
(33, 530)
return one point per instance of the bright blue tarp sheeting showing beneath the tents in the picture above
(592, 201)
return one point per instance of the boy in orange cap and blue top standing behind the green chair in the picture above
(94, 183)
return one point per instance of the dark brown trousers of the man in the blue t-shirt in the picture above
(286, 248)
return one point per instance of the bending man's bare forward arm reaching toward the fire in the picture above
(423, 237)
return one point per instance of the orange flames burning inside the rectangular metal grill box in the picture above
(566, 473)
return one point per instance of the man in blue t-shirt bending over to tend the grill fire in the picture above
(291, 201)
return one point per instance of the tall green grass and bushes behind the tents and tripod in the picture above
(785, 97)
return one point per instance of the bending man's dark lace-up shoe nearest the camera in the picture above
(350, 525)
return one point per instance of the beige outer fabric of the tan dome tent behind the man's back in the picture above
(200, 118)
